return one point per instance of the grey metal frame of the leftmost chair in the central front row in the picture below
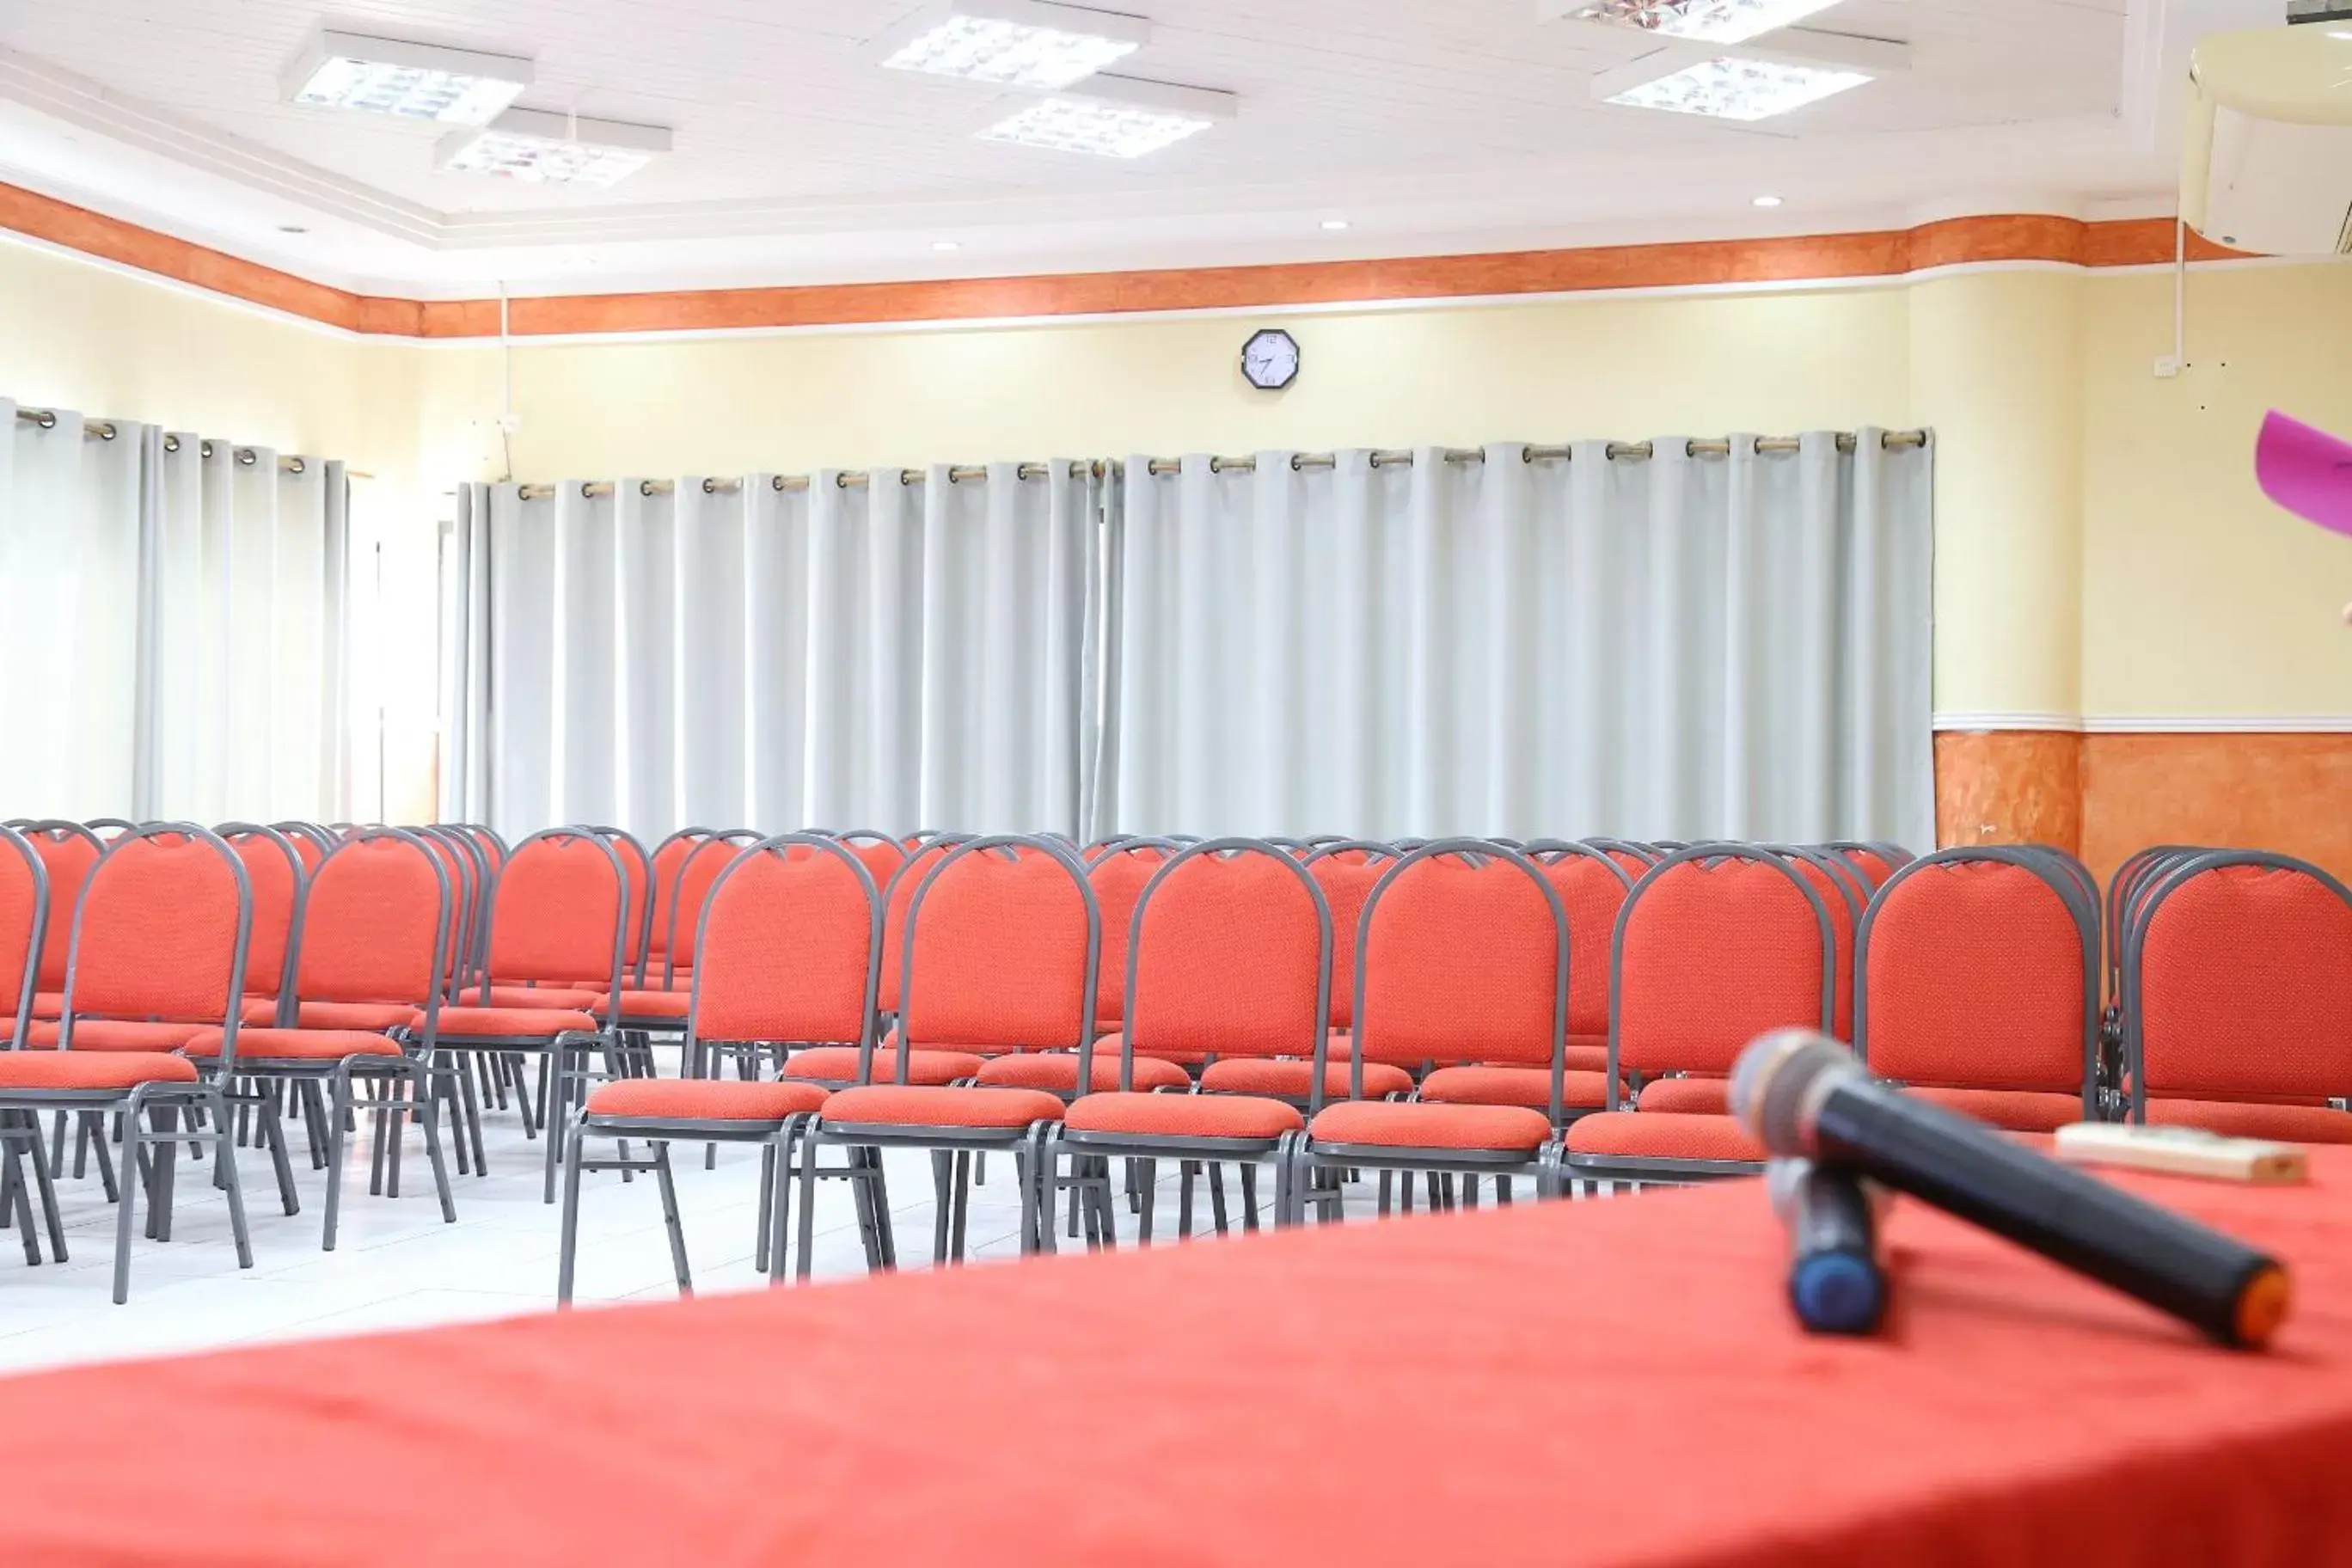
(777, 1141)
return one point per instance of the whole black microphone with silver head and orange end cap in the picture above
(1803, 1094)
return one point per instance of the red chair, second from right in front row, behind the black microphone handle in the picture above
(1979, 986)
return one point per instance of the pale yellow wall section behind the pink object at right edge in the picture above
(2200, 596)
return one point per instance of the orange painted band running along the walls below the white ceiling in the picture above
(1608, 269)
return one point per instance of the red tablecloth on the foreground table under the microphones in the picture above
(1577, 1383)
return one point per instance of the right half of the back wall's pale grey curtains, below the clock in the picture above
(1671, 648)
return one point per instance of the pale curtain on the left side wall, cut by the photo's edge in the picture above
(175, 634)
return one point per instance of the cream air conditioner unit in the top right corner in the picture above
(2269, 126)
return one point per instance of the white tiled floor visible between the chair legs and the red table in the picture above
(399, 1266)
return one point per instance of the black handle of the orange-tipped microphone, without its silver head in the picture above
(2073, 1219)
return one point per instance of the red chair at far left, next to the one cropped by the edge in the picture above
(159, 956)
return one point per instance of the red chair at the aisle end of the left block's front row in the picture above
(556, 913)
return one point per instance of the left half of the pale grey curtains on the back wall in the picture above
(726, 652)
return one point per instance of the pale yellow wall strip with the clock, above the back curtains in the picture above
(1631, 368)
